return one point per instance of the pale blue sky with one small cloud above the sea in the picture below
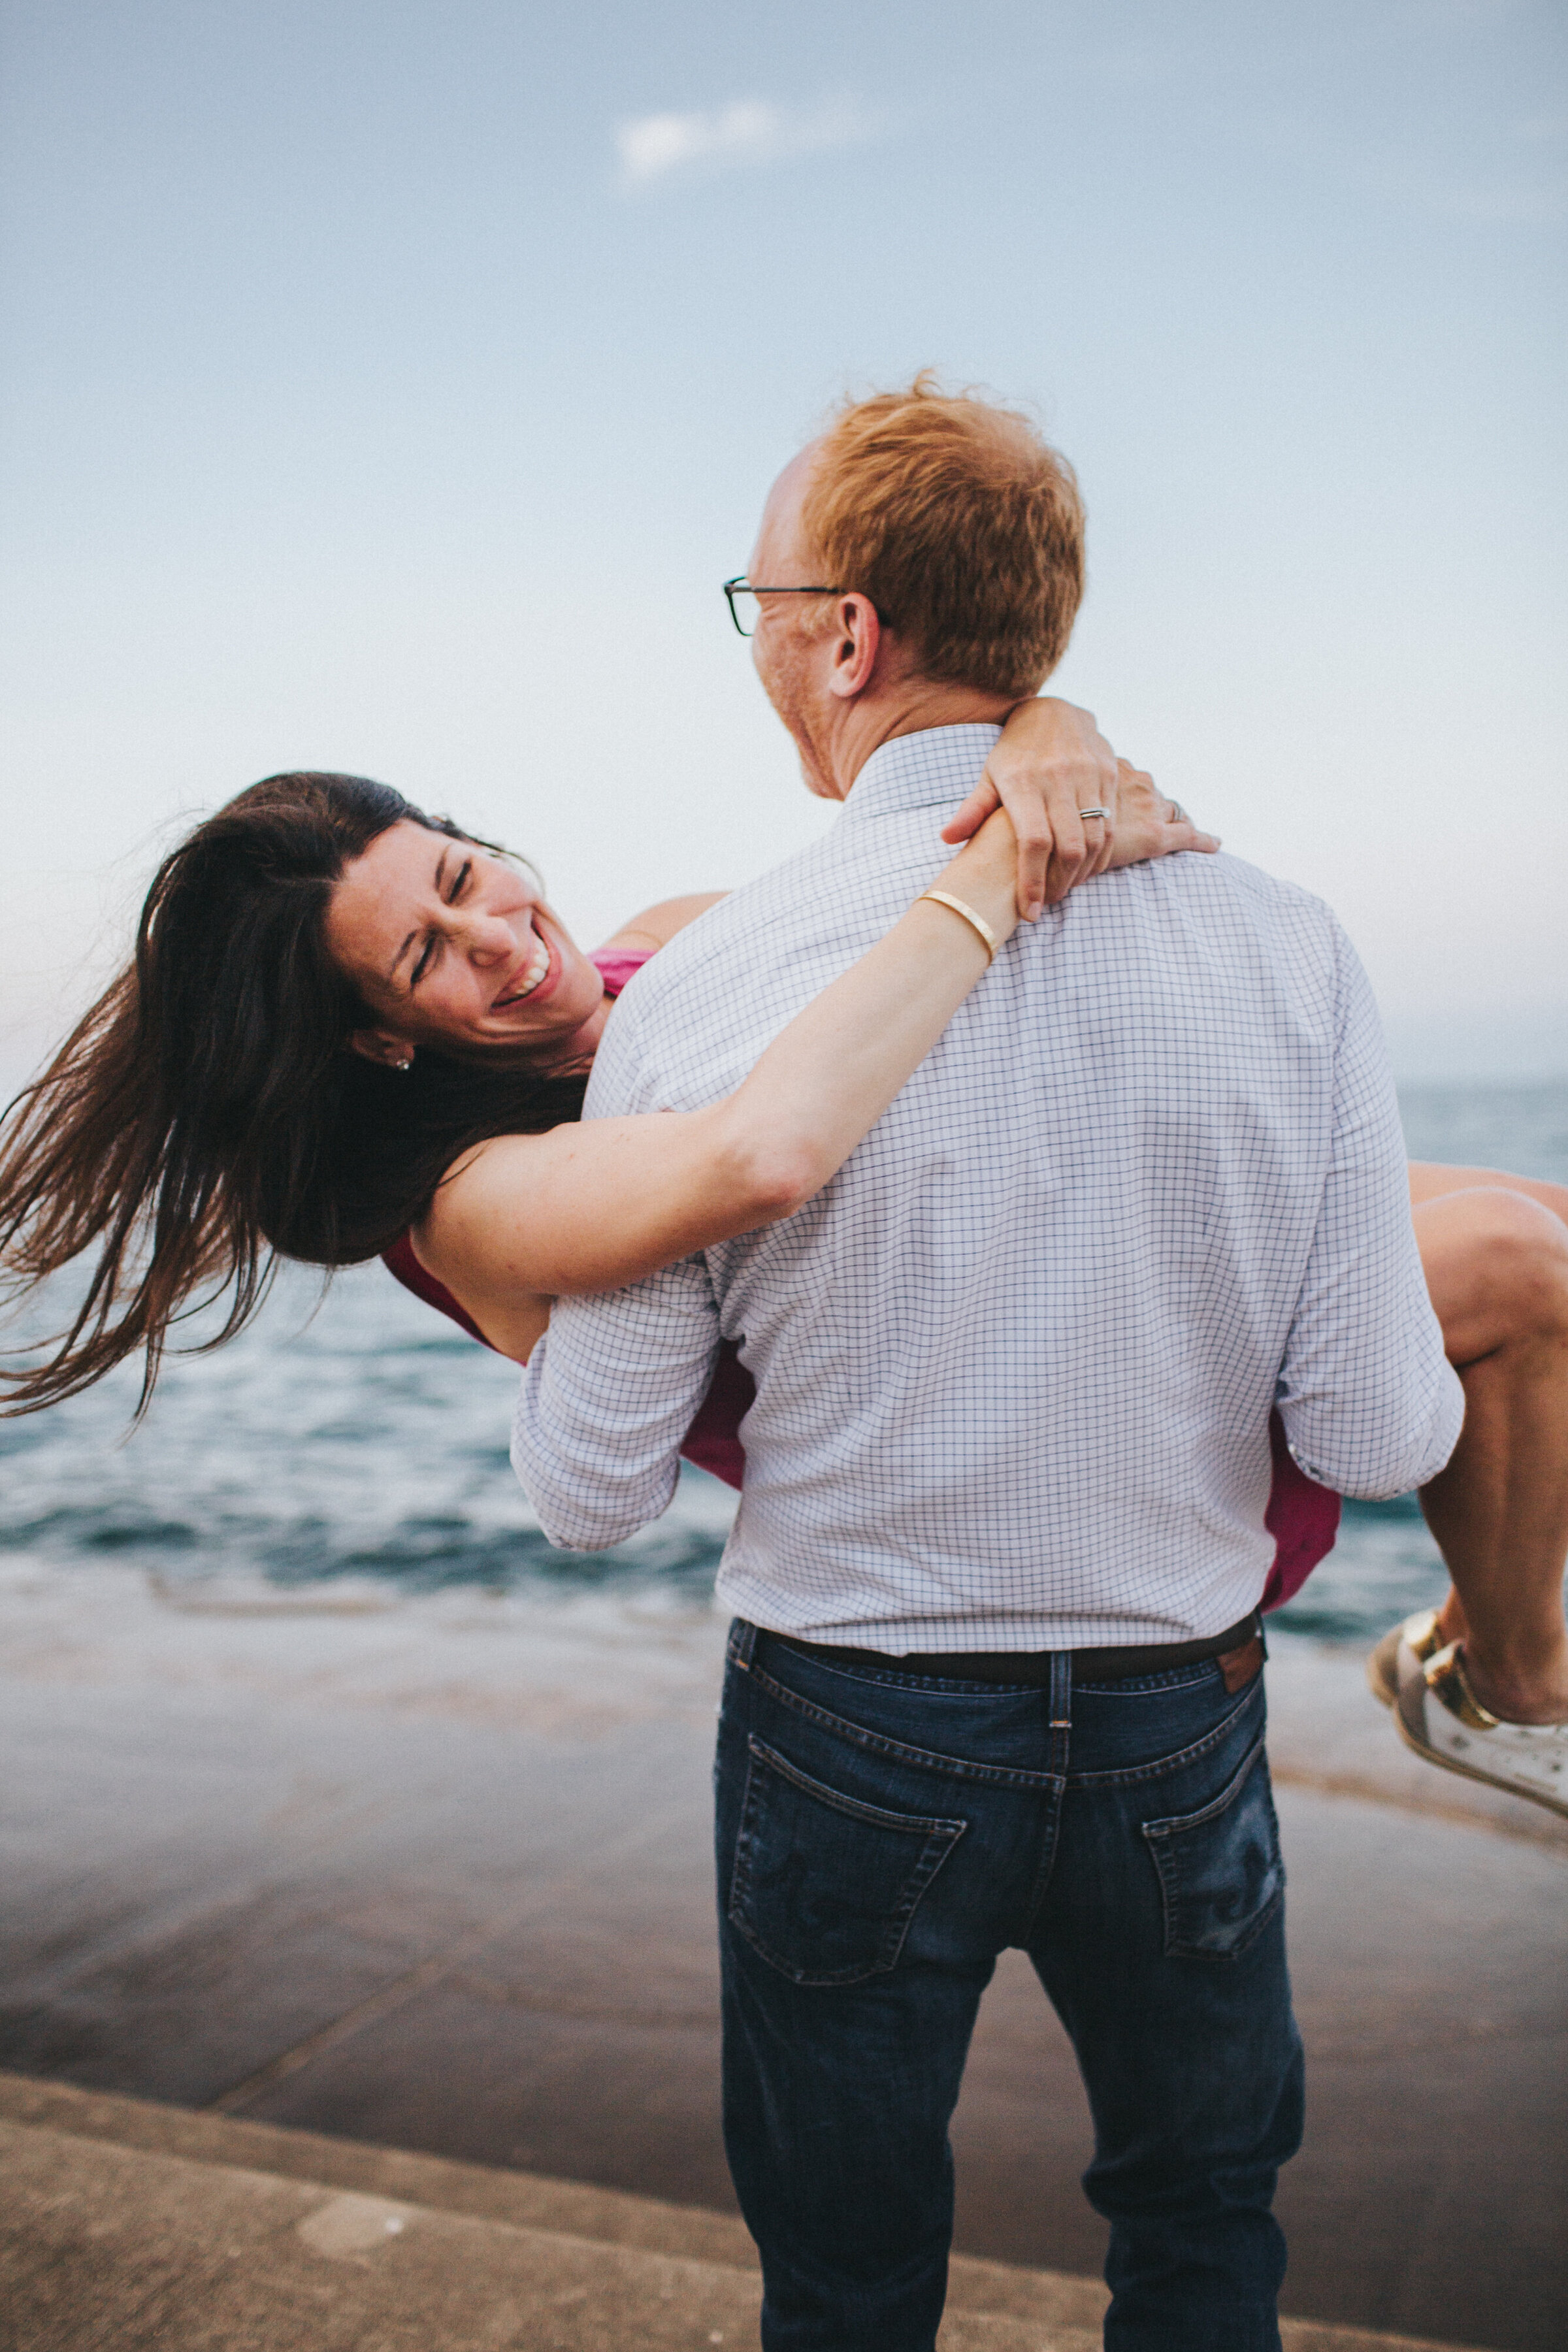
(389, 387)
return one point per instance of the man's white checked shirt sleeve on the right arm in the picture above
(1369, 1401)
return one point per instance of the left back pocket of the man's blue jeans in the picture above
(826, 1885)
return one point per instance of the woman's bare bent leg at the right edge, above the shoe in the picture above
(1496, 1259)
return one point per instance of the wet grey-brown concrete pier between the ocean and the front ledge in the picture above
(436, 1878)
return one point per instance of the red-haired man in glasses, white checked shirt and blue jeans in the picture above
(996, 1673)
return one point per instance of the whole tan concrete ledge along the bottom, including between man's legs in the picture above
(140, 2226)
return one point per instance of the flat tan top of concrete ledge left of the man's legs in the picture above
(121, 2247)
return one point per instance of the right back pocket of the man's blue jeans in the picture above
(1221, 1871)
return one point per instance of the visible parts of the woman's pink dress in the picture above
(1304, 1518)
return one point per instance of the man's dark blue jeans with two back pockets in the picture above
(880, 1838)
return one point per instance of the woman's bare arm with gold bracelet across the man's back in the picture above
(608, 1203)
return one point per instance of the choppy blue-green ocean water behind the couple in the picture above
(361, 1441)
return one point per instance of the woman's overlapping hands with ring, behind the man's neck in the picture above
(1050, 766)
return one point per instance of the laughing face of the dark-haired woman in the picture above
(450, 947)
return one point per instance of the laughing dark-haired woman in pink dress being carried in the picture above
(359, 1031)
